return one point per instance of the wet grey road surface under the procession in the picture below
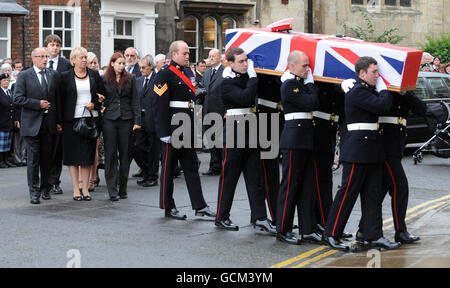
(133, 232)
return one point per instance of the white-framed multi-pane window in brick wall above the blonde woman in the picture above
(62, 21)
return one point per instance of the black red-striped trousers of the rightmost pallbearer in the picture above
(396, 183)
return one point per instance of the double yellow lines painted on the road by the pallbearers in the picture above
(331, 252)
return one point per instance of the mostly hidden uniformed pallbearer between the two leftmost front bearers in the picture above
(269, 102)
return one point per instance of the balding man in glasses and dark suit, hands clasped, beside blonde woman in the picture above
(37, 92)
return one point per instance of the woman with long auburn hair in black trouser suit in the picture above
(122, 115)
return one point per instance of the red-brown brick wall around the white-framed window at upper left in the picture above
(90, 27)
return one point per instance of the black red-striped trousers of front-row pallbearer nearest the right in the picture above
(358, 179)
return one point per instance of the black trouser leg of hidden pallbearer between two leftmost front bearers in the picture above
(271, 172)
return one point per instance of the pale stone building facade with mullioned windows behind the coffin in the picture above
(197, 20)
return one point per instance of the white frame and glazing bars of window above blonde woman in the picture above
(76, 29)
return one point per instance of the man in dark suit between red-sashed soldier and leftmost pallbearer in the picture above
(213, 103)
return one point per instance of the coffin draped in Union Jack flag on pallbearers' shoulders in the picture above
(332, 59)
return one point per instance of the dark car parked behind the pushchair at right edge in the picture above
(431, 87)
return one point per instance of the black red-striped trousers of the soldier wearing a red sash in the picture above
(189, 164)
